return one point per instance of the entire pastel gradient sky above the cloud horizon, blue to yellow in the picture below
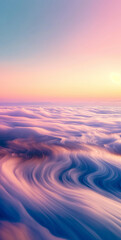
(65, 50)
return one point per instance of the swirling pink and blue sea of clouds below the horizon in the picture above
(60, 173)
